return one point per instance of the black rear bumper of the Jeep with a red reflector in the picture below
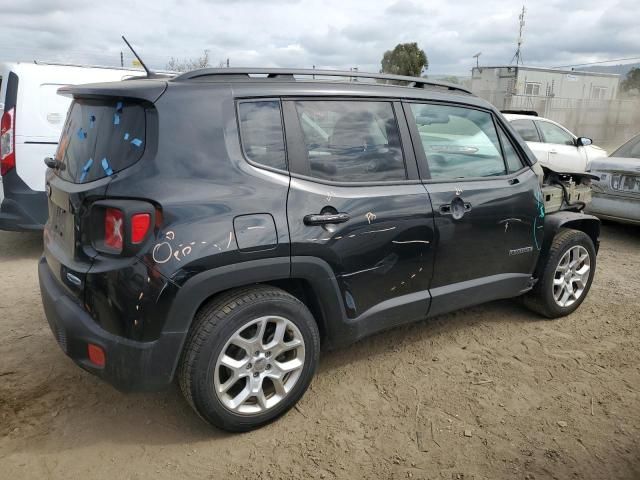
(130, 365)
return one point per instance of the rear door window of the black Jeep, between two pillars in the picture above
(351, 141)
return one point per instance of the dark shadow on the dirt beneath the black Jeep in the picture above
(87, 405)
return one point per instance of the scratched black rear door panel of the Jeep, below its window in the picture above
(383, 251)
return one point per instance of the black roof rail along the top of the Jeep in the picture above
(290, 74)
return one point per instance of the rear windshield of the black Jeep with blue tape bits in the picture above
(100, 138)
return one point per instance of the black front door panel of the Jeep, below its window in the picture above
(498, 234)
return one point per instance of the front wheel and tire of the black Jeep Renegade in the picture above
(542, 298)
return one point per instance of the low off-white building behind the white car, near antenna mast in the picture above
(499, 84)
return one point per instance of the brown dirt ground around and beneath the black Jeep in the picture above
(490, 392)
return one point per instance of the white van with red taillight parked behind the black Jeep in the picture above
(32, 118)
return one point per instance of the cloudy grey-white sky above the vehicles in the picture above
(328, 34)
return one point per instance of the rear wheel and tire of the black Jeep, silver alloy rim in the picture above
(223, 332)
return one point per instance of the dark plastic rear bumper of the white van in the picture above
(21, 208)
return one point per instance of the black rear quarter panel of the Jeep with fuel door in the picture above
(198, 168)
